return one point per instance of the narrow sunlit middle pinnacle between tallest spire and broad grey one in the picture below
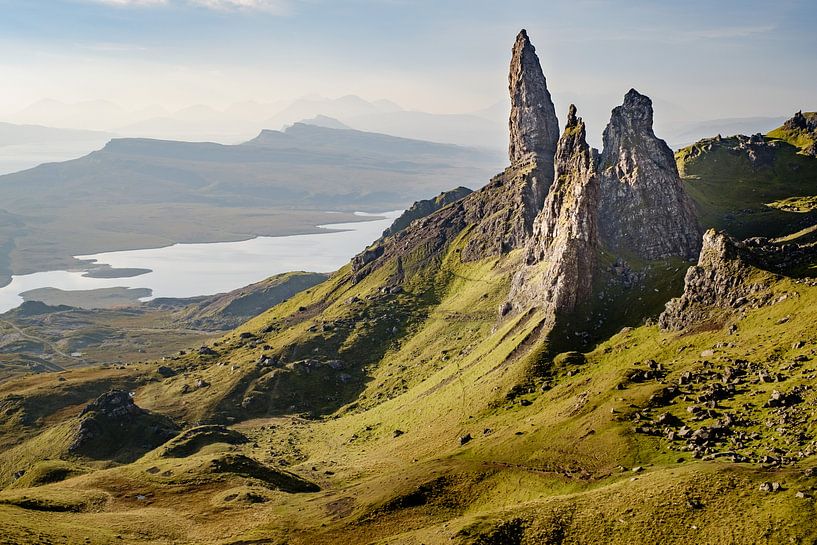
(562, 254)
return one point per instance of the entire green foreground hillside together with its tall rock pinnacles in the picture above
(569, 354)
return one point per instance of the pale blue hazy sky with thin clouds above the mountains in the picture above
(707, 58)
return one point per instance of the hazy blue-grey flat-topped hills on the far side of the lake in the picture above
(139, 193)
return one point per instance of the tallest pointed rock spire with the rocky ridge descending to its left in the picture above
(500, 216)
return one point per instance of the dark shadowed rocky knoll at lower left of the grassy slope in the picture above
(114, 426)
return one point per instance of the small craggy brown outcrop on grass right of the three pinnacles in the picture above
(720, 281)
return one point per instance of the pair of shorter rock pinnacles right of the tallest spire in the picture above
(629, 203)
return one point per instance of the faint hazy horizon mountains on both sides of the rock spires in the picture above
(239, 122)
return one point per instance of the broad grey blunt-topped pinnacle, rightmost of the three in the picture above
(643, 209)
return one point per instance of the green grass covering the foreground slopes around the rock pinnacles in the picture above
(552, 444)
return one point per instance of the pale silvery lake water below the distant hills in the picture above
(188, 270)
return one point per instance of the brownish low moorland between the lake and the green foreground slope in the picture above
(49, 337)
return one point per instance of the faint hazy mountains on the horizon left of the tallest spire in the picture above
(241, 121)
